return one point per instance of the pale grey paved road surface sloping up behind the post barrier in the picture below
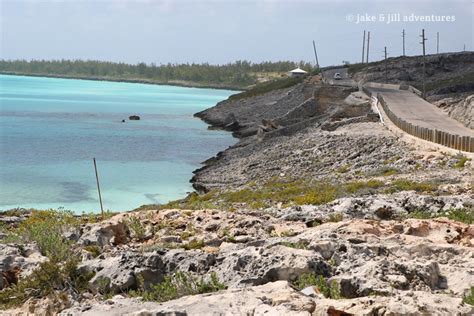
(413, 109)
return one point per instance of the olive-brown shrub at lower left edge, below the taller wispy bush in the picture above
(51, 278)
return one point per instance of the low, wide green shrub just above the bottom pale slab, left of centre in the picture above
(180, 284)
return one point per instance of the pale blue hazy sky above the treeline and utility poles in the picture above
(163, 31)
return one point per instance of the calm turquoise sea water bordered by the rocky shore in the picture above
(50, 129)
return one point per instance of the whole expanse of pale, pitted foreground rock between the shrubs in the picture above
(378, 262)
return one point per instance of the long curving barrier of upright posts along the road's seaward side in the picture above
(462, 143)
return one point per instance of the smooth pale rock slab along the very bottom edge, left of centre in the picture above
(276, 298)
